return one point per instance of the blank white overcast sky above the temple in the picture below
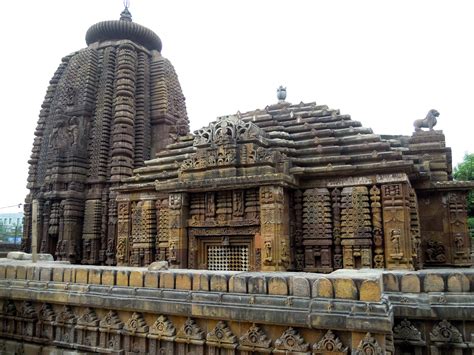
(386, 63)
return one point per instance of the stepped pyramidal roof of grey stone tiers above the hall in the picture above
(314, 140)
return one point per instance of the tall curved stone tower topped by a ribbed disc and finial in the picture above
(108, 108)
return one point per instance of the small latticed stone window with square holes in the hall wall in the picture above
(228, 257)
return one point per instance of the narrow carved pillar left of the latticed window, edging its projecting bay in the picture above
(178, 237)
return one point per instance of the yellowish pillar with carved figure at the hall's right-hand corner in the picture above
(397, 223)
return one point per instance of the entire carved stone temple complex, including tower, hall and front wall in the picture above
(290, 229)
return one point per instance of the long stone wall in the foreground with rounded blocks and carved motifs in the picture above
(124, 310)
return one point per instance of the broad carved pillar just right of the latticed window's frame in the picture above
(274, 216)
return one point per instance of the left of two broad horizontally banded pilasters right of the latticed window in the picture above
(317, 230)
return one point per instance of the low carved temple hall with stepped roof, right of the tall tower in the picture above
(295, 187)
